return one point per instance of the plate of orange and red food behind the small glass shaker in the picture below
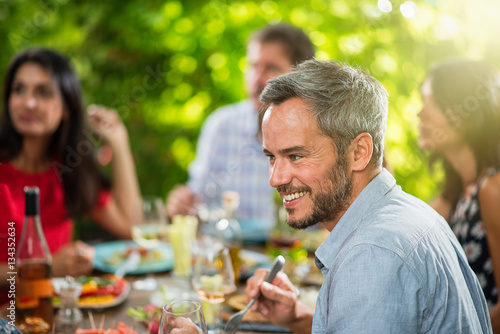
(97, 292)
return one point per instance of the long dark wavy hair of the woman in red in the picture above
(82, 179)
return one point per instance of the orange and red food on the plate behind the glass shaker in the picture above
(97, 291)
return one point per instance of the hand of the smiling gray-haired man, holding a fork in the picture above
(279, 303)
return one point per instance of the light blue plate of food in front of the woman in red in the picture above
(110, 255)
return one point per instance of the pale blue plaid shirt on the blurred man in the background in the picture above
(229, 157)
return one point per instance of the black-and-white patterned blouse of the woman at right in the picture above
(465, 220)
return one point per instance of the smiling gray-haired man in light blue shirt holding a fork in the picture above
(391, 263)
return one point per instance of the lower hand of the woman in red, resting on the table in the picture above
(74, 259)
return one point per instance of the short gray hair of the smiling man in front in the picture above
(345, 101)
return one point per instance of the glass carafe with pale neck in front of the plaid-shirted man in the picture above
(228, 229)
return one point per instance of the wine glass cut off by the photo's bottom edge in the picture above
(183, 316)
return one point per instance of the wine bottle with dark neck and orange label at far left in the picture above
(34, 271)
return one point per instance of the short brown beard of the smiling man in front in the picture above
(331, 202)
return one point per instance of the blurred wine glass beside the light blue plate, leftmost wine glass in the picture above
(149, 230)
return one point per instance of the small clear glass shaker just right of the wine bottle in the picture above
(69, 317)
